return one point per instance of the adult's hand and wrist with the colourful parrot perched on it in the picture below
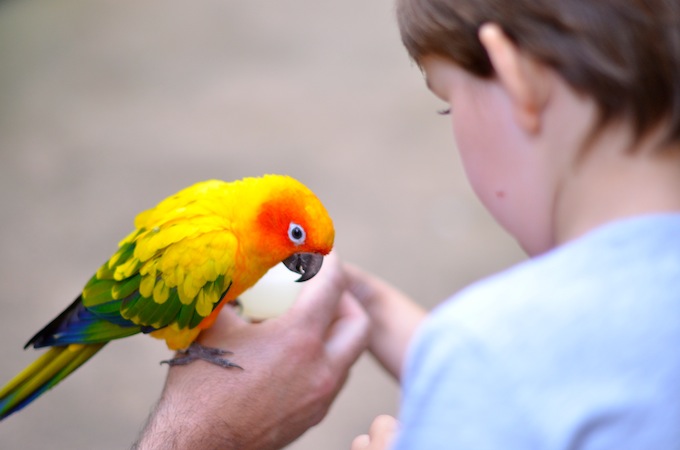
(293, 367)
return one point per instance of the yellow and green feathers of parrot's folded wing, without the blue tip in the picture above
(175, 273)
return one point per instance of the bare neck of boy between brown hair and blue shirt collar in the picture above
(608, 182)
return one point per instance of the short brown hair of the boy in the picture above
(623, 53)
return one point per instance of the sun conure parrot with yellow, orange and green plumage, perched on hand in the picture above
(189, 256)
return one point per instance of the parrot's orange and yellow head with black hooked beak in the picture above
(293, 225)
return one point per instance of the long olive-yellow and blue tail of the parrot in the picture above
(44, 373)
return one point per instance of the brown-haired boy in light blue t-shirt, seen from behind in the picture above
(567, 119)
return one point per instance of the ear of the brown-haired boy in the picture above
(525, 79)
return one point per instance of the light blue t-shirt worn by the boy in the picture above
(576, 349)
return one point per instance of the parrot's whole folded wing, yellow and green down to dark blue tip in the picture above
(174, 269)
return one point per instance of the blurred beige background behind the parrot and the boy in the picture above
(107, 106)
